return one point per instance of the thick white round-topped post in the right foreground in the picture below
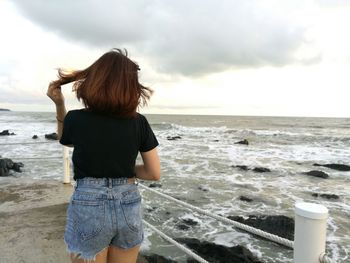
(310, 232)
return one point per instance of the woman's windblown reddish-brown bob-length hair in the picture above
(110, 85)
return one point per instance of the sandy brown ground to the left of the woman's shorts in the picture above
(32, 220)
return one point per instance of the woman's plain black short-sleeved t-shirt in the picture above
(106, 146)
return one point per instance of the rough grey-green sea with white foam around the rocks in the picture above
(199, 156)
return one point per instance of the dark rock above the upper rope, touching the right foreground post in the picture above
(279, 225)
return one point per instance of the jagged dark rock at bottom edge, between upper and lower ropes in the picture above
(215, 253)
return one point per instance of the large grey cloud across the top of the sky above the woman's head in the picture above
(184, 37)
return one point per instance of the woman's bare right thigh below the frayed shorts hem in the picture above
(119, 255)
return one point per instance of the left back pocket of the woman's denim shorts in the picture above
(88, 217)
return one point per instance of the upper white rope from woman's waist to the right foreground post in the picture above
(249, 229)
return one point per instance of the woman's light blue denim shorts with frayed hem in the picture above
(103, 212)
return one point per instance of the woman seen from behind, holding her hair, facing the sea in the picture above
(104, 214)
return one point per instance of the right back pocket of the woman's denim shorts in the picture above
(131, 207)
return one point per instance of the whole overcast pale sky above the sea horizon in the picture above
(231, 57)
